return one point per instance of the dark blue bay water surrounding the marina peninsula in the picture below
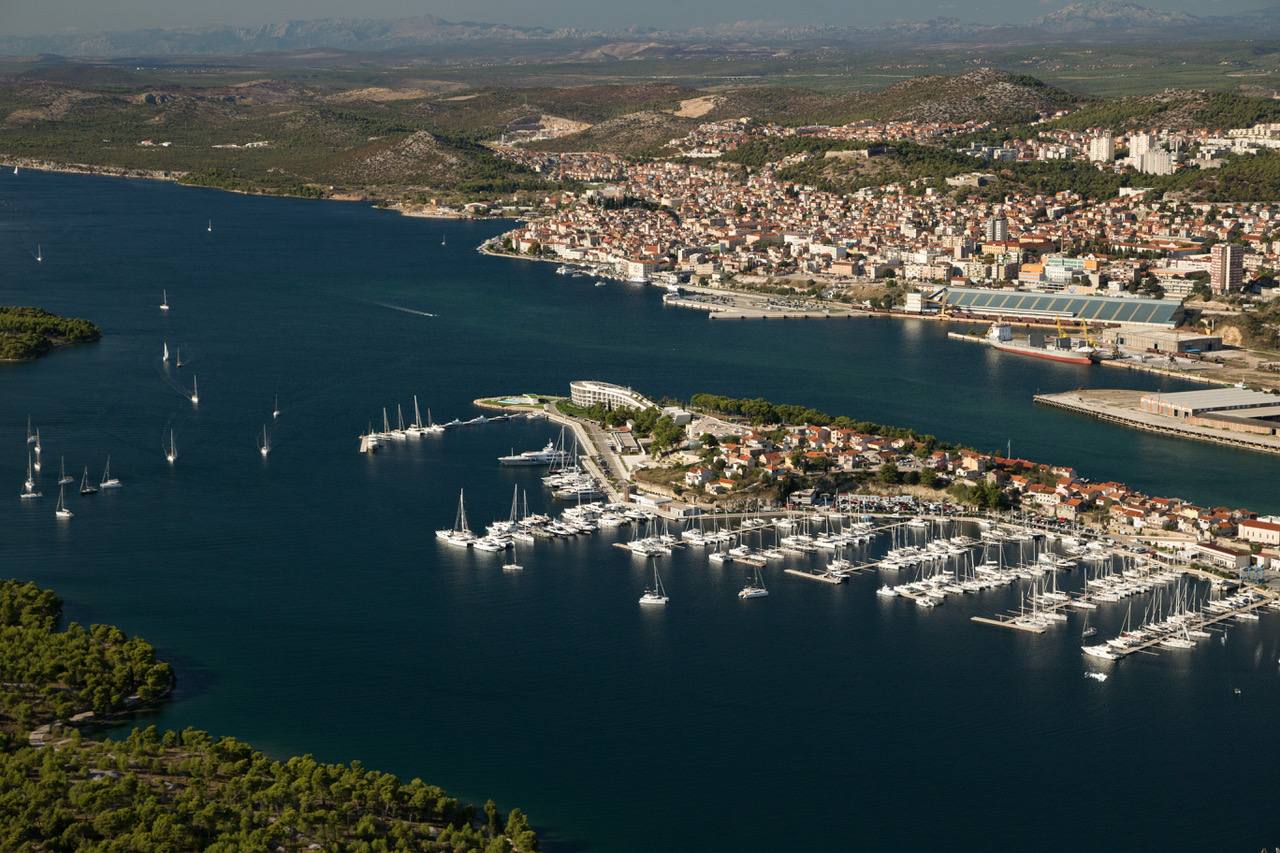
(310, 610)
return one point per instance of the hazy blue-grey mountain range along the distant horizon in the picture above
(1095, 22)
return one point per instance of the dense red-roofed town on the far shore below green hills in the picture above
(684, 218)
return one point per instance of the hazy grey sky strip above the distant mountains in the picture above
(52, 17)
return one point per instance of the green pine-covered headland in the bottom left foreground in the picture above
(168, 792)
